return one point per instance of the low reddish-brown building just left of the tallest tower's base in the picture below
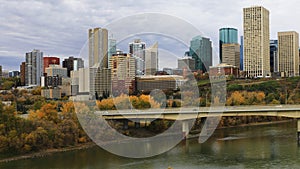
(224, 69)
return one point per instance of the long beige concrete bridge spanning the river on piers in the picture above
(185, 114)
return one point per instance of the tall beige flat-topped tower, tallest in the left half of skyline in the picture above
(98, 47)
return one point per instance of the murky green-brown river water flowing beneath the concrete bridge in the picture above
(267, 146)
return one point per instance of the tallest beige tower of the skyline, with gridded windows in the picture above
(256, 42)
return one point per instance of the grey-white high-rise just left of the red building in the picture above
(34, 67)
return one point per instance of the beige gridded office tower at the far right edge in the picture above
(288, 50)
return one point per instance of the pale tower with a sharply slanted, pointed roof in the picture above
(151, 59)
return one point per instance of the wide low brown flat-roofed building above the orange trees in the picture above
(164, 82)
